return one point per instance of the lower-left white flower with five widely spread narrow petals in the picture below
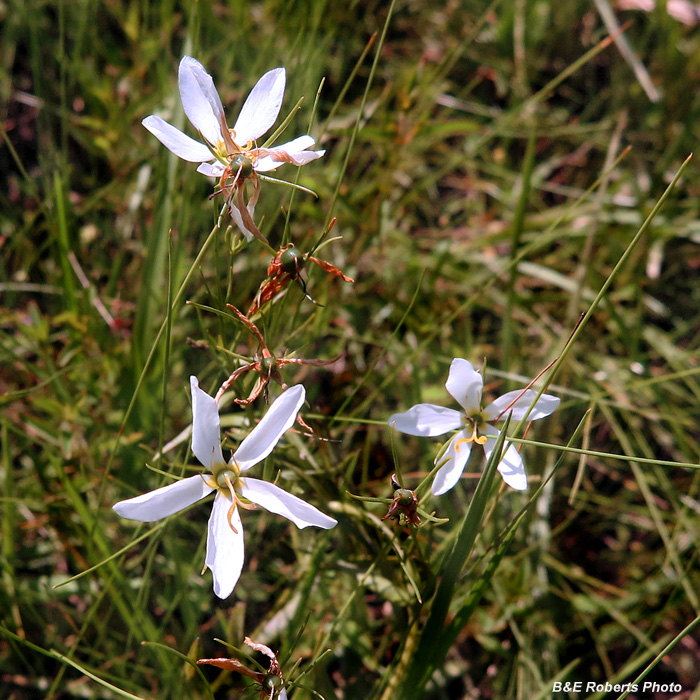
(225, 533)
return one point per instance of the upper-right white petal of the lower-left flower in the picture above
(265, 435)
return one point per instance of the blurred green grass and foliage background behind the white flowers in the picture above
(477, 169)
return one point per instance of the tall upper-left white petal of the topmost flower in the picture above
(200, 100)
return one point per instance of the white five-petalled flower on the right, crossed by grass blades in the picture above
(465, 385)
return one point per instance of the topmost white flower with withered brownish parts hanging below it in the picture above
(228, 152)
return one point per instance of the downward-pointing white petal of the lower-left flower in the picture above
(225, 549)
